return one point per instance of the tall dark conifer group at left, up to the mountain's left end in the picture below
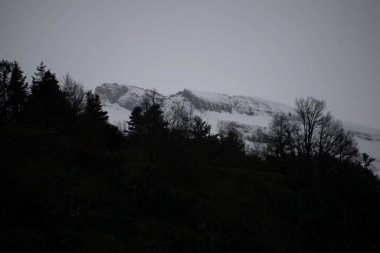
(64, 105)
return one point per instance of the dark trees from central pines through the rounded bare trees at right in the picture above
(309, 134)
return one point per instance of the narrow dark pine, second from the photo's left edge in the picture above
(17, 91)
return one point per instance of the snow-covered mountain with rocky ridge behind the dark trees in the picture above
(248, 114)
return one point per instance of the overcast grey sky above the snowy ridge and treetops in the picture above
(277, 50)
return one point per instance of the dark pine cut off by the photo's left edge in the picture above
(5, 70)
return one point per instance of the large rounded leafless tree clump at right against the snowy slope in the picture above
(311, 132)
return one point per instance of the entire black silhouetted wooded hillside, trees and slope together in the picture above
(73, 182)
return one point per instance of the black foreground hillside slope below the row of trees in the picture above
(63, 193)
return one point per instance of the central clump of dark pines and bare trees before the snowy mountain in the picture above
(181, 138)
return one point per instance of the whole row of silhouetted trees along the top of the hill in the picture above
(311, 133)
